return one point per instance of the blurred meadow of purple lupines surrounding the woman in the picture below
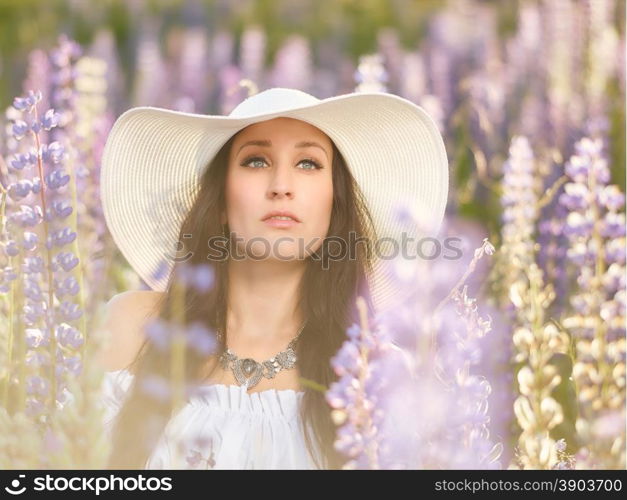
(526, 332)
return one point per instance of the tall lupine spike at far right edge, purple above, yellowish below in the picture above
(596, 235)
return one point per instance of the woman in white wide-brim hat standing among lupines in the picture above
(302, 188)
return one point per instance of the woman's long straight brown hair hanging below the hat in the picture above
(327, 302)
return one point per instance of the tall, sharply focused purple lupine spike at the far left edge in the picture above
(33, 159)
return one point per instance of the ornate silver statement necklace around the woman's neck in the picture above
(248, 372)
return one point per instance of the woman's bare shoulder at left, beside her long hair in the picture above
(125, 315)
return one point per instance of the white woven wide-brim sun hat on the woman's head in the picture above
(154, 158)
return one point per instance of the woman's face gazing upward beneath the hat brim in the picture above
(282, 164)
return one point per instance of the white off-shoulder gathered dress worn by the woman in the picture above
(223, 427)
